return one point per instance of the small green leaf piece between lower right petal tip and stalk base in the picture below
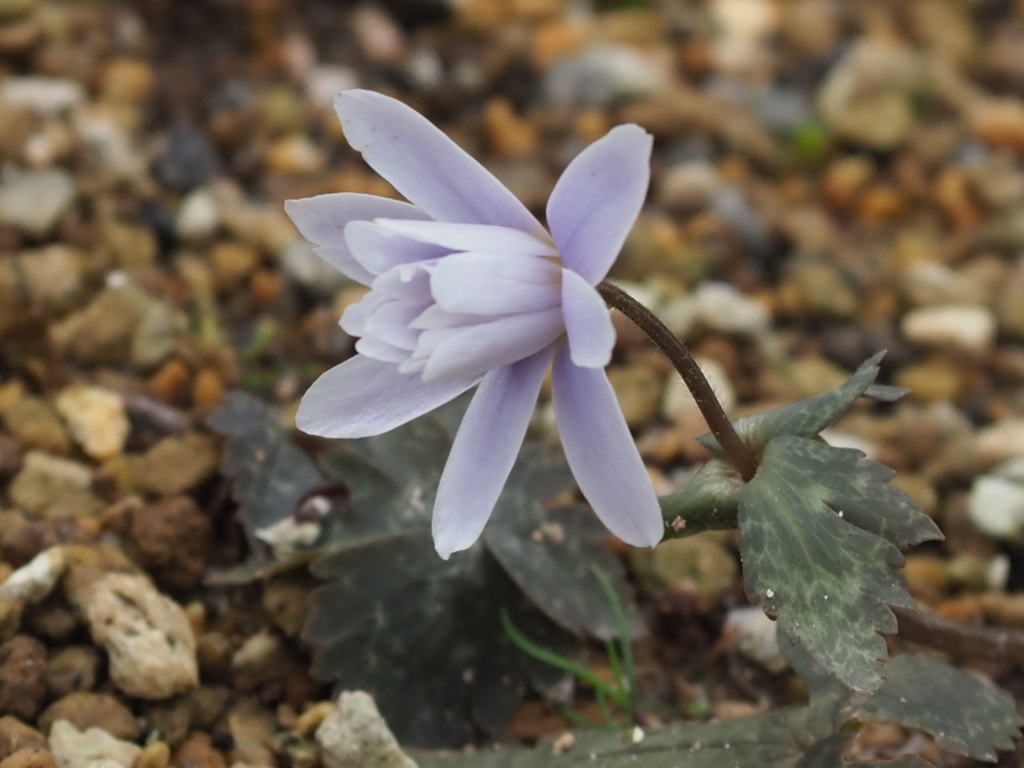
(709, 502)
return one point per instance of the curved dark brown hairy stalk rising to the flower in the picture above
(739, 454)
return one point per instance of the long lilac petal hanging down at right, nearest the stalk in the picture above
(602, 454)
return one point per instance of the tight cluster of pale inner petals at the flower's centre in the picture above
(451, 302)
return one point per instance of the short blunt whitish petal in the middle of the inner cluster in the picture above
(495, 284)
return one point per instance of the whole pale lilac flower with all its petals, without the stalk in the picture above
(467, 289)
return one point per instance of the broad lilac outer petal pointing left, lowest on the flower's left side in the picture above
(363, 398)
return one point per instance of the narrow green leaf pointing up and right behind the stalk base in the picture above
(808, 417)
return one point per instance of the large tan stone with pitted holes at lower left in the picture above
(149, 638)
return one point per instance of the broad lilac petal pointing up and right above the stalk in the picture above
(598, 200)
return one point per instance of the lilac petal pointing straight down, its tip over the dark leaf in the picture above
(485, 451)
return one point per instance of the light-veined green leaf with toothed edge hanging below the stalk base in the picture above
(828, 582)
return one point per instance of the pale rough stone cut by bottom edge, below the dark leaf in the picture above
(355, 736)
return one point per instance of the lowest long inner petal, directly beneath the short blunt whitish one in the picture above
(472, 352)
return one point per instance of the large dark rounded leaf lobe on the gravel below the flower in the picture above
(423, 635)
